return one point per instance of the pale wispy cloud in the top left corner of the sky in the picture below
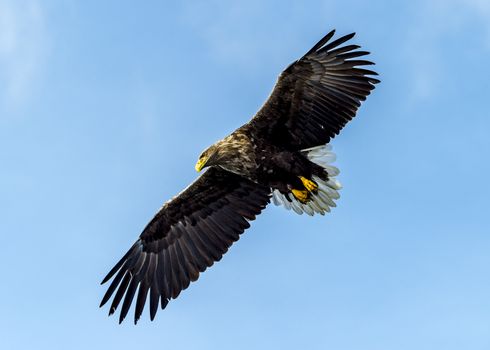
(23, 48)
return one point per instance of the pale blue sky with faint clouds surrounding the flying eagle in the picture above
(105, 106)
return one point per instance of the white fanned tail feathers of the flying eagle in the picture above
(323, 199)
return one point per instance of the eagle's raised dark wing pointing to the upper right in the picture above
(315, 96)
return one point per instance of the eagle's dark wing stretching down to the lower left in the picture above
(189, 233)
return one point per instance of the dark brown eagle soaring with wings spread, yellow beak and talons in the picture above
(281, 155)
